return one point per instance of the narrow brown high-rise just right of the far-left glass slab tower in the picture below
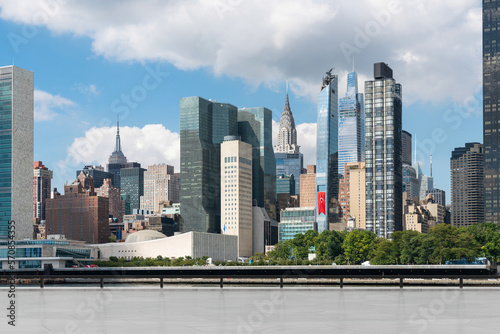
(42, 177)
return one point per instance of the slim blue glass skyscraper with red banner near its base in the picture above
(327, 180)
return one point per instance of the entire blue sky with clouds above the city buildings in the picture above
(95, 61)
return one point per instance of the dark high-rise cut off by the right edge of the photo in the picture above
(491, 113)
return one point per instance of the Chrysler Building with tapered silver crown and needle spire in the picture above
(289, 160)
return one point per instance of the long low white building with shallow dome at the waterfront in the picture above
(148, 243)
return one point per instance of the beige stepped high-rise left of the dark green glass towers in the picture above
(160, 185)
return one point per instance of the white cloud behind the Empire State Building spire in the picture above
(152, 144)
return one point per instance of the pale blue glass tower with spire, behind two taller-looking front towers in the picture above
(351, 125)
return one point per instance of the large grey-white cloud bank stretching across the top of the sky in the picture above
(434, 47)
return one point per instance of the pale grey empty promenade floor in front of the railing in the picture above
(253, 310)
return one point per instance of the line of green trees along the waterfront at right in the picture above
(442, 243)
